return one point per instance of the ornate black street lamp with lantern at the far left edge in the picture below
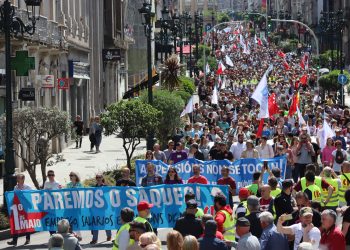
(11, 24)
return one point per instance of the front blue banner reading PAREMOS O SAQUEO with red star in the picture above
(99, 208)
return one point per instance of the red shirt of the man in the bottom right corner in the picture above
(333, 239)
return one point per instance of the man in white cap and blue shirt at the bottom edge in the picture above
(271, 239)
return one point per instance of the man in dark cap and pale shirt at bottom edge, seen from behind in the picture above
(247, 241)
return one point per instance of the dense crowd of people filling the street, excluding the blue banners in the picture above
(307, 208)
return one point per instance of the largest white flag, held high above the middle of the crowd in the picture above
(261, 96)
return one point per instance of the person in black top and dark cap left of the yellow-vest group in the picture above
(283, 201)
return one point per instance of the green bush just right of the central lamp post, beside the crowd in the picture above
(170, 106)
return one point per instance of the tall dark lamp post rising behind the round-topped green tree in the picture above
(146, 11)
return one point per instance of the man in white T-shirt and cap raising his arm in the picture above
(304, 231)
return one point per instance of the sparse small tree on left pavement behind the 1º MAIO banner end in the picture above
(33, 129)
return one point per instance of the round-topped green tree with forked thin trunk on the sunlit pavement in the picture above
(134, 119)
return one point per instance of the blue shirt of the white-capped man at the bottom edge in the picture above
(272, 240)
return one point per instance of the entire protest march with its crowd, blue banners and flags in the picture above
(259, 130)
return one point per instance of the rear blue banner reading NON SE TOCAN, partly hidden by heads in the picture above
(241, 170)
